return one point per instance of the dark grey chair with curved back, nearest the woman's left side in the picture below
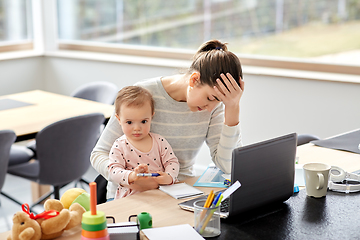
(63, 153)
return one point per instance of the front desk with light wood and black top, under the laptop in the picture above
(333, 217)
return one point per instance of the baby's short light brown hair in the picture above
(133, 96)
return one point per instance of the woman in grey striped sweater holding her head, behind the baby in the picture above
(199, 105)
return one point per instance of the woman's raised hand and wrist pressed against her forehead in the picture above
(230, 93)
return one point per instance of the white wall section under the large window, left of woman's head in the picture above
(63, 75)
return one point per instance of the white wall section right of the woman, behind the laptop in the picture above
(272, 106)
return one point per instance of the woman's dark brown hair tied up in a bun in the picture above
(212, 59)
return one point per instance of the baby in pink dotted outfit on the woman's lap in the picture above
(138, 151)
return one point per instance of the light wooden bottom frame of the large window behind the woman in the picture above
(182, 54)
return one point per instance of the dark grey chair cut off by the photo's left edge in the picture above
(7, 138)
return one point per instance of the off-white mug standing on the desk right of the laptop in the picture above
(316, 179)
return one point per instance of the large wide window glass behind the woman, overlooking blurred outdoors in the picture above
(319, 31)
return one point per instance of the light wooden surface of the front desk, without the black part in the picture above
(165, 211)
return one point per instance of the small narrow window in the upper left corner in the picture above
(15, 25)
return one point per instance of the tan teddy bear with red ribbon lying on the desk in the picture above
(47, 225)
